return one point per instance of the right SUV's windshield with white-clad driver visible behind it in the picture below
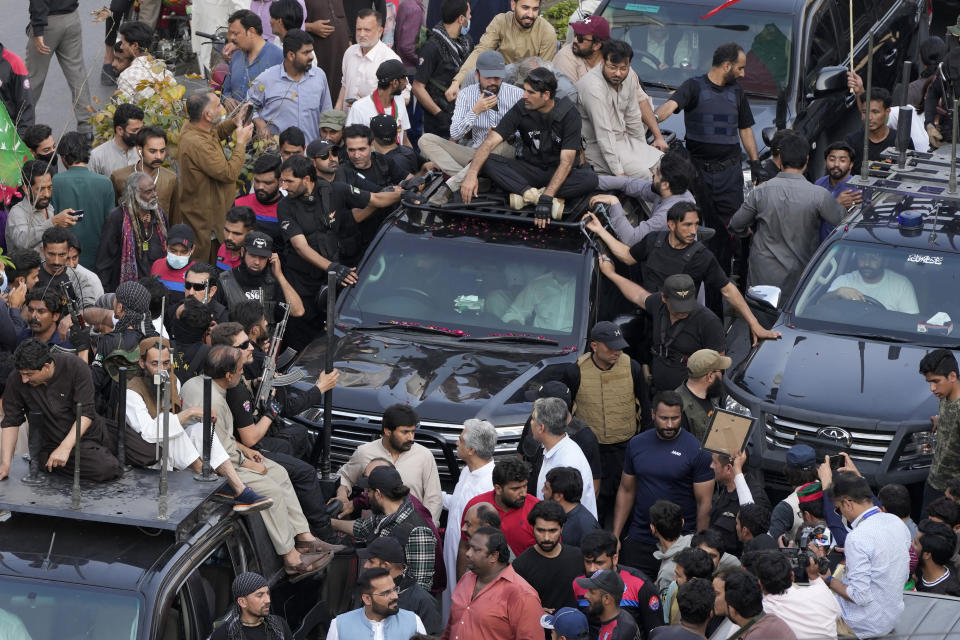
(883, 291)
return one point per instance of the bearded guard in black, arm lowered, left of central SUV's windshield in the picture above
(317, 226)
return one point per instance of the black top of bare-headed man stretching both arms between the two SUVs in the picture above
(701, 265)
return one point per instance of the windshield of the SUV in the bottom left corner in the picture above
(32, 610)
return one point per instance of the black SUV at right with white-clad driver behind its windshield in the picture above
(844, 376)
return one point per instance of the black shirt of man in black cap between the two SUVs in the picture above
(673, 343)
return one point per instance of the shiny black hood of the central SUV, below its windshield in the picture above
(444, 380)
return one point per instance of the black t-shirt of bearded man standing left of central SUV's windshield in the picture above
(337, 240)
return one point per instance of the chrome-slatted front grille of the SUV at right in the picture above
(861, 445)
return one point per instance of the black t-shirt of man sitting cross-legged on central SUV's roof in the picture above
(543, 135)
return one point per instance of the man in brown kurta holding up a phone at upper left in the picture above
(208, 178)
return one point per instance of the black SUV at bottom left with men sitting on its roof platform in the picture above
(114, 570)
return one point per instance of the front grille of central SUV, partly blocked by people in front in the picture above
(352, 429)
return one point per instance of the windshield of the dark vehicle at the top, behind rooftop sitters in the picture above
(672, 42)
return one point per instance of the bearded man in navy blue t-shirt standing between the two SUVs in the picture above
(665, 463)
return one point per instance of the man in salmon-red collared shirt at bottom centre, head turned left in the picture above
(491, 602)
